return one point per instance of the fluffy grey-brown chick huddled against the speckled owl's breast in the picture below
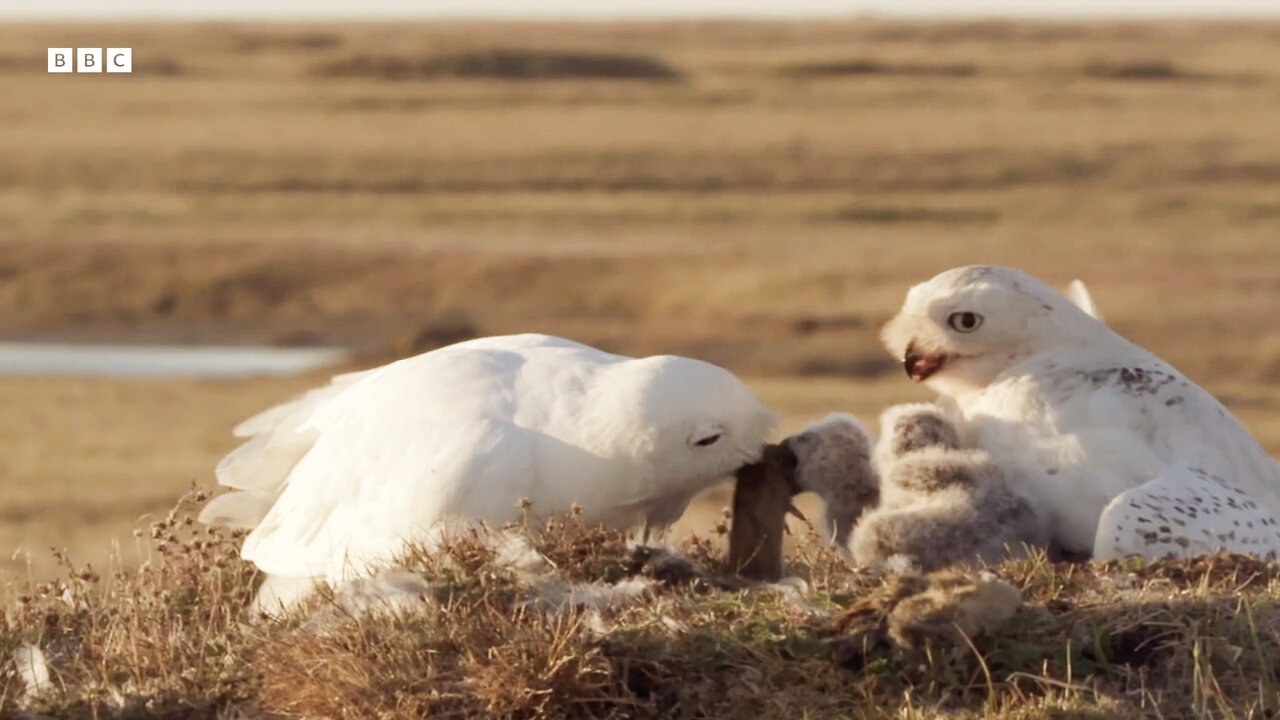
(940, 504)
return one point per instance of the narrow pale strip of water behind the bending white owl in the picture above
(162, 362)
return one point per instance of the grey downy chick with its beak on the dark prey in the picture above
(835, 461)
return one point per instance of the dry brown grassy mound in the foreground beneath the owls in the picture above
(1192, 639)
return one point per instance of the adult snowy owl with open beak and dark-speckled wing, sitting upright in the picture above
(1118, 450)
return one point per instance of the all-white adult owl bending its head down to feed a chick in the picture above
(341, 479)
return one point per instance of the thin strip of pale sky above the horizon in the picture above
(623, 10)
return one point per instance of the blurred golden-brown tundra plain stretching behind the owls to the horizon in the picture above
(758, 195)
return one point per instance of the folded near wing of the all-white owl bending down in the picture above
(367, 489)
